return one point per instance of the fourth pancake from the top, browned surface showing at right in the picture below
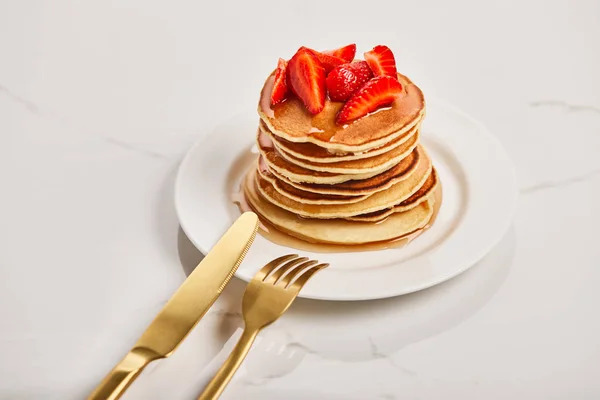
(362, 187)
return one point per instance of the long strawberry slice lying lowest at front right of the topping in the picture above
(379, 91)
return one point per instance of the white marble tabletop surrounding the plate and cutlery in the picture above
(100, 100)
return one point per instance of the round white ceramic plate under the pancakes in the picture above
(479, 189)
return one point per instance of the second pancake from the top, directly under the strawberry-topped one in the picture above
(312, 152)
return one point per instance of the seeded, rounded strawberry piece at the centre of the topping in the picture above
(346, 79)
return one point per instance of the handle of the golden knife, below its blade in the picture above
(118, 380)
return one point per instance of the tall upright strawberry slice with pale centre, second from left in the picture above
(306, 77)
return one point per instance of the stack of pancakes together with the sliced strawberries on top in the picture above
(345, 175)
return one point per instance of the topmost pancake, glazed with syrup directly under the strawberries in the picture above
(291, 121)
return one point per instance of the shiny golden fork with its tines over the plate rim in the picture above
(268, 295)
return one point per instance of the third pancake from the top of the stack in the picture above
(332, 173)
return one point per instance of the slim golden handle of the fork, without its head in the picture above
(215, 387)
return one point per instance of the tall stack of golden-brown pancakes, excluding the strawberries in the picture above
(365, 182)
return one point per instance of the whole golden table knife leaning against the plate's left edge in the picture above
(185, 308)
